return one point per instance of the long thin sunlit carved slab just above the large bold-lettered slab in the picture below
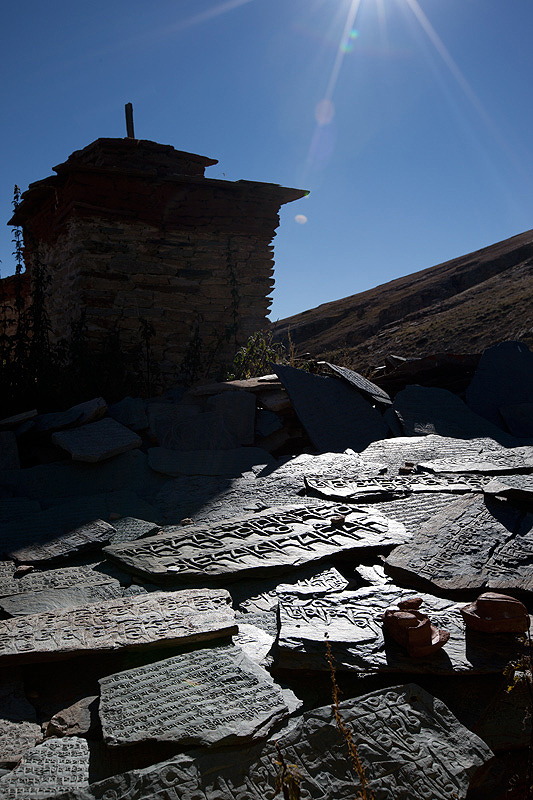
(382, 486)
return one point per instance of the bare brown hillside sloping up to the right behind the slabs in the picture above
(463, 305)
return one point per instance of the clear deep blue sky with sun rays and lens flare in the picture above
(410, 121)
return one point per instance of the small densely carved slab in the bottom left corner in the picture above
(55, 765)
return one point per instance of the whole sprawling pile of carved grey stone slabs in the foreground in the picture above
(168, 597)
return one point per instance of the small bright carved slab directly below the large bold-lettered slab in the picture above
(263, 595)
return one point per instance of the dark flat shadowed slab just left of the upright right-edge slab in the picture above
(423, 410)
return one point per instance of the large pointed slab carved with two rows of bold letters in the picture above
(269, 543)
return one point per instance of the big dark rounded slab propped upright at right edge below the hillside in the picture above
(504, 377)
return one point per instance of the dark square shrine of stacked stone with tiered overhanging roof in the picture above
(132, 230)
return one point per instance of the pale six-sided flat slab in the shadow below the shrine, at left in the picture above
(97, 441)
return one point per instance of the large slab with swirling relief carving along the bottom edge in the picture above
(410, 745)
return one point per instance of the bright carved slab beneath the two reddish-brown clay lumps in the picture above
(353, 622)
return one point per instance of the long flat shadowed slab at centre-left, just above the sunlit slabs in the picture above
(227, 463)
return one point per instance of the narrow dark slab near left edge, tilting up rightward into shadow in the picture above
(91, 536)
